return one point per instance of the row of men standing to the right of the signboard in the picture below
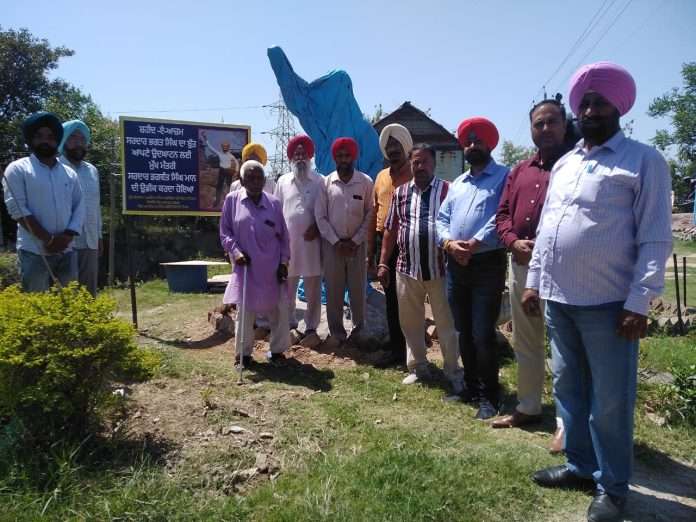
(588, 228)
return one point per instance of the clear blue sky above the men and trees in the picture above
(206, 61)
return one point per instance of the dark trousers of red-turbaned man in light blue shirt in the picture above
(474, 293)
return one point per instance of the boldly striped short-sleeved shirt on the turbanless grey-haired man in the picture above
(413, 213)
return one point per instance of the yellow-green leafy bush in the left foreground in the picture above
(60, 352)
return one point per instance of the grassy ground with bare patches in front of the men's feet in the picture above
(350, 444)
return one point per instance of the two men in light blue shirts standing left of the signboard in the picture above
(53, 194)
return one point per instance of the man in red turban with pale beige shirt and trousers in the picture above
(343, 212)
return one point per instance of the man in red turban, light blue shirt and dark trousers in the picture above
(476, 261)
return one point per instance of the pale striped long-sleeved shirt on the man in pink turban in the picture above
(605, 232)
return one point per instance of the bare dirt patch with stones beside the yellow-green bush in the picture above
(219, 442)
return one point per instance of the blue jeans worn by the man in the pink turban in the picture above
(595, 372)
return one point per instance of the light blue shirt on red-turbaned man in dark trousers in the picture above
(468, 211)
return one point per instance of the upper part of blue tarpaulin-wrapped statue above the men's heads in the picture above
(326, 108)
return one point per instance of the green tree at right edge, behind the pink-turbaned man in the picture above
(680, 106)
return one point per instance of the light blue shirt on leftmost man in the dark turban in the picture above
(51, 194)
